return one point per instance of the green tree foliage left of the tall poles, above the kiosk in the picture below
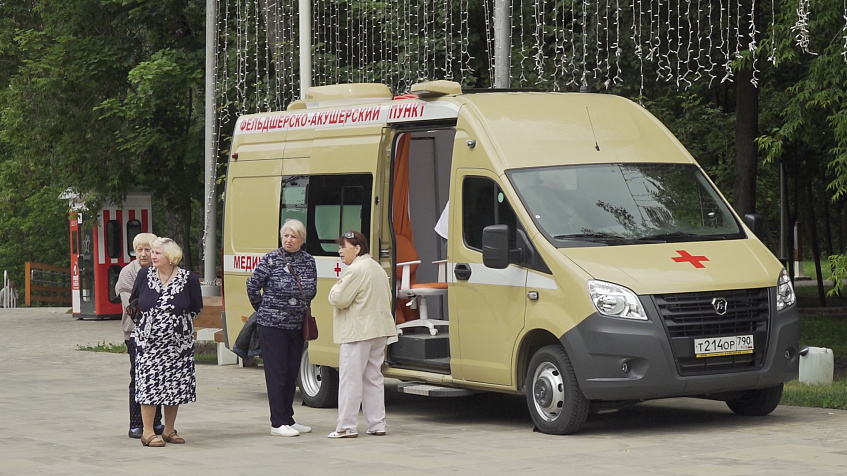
(102, 98)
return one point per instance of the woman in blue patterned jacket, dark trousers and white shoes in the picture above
(280, 308)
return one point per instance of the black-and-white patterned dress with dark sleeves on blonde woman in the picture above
(164, 336)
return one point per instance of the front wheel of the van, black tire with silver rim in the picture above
(555, 401)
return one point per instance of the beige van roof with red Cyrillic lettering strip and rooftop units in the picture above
(530, 128)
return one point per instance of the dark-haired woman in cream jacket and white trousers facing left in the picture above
(363, 325)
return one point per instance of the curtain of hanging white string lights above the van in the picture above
(558, 44)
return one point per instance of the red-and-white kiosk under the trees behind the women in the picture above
(100, 246)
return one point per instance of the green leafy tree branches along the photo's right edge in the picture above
(811, 135)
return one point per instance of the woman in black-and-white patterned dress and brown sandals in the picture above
(169, 299)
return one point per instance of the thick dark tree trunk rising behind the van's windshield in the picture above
(746, 151)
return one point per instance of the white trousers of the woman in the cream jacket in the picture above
(360, 384)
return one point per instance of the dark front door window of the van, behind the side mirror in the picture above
(484, 204)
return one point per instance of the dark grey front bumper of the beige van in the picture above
(622, 359)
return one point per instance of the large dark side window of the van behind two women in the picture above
(328, 205)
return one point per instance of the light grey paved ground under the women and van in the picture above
(63, 411)
